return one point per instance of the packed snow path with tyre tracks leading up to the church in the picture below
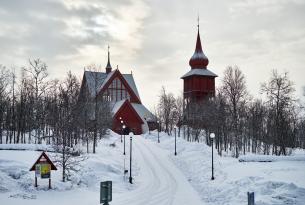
(160, 181)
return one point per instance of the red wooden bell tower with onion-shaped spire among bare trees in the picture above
(199, 82)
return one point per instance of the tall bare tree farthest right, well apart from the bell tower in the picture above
(279, 91)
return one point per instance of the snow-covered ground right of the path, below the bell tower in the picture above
(274, 183)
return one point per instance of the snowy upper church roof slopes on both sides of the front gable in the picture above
(102, 78)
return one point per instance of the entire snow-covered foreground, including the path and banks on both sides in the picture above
(159, 176)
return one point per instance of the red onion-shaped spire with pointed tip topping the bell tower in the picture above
(199, 59)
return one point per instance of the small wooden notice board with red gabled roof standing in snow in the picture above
(43, 167)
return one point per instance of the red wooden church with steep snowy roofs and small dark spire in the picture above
(120, 91)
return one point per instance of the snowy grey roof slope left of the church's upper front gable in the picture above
(92, 78)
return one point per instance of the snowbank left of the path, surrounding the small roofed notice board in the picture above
(17, 182)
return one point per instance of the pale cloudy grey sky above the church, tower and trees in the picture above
(156, 38)
